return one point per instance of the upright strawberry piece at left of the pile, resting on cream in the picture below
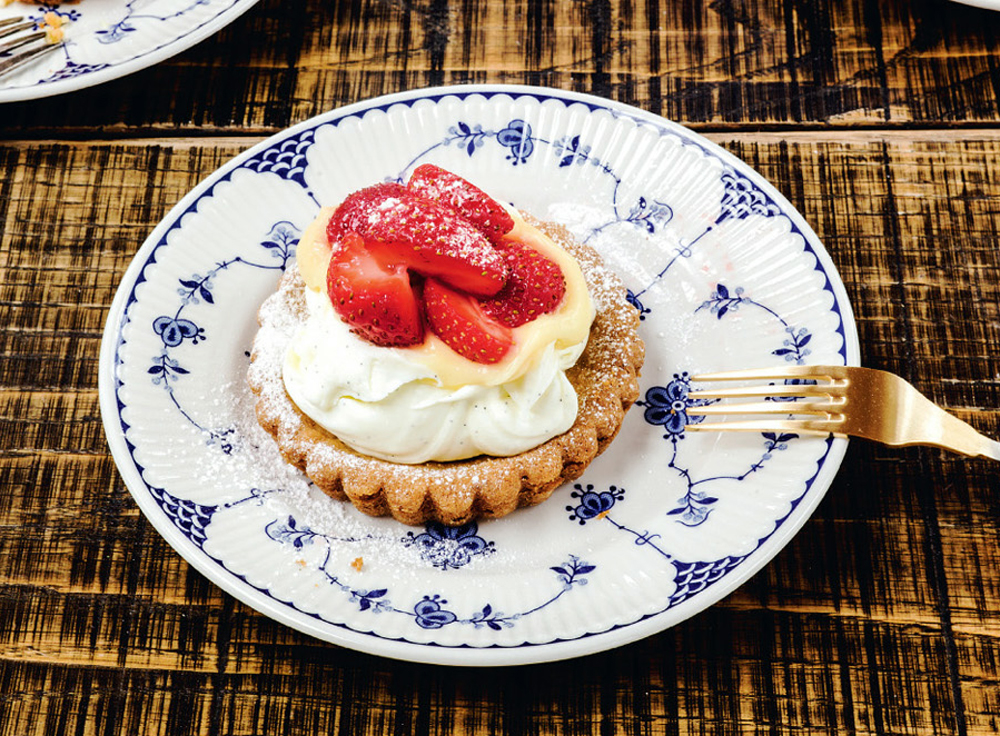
(376, 299)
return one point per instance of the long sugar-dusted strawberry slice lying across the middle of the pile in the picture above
(424, 235)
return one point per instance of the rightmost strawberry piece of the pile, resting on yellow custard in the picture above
(534, 287)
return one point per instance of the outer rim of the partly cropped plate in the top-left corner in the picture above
(160, 53)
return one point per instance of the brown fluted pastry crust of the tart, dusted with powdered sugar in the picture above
(605, 378)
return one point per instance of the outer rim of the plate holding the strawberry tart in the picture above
(464, 654)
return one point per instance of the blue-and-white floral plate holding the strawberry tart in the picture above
(724, 272)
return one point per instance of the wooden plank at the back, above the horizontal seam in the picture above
(710, 64)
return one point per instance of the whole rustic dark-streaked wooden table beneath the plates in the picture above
(878, 120)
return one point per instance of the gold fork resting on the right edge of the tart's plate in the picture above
(839, 400)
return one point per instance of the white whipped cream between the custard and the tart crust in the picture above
(382, 402)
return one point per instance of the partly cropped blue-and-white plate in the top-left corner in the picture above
(107, 39)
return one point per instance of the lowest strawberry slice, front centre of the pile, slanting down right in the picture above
(458, 320)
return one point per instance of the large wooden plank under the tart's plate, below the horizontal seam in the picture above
(881, 617)
